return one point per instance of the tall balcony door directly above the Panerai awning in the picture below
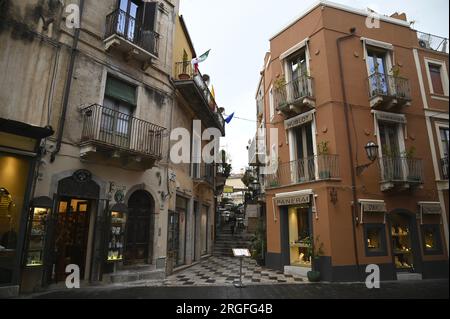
(304, 167)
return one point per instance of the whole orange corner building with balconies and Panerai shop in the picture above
(338, 88)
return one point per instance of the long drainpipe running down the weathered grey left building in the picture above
(62, 120)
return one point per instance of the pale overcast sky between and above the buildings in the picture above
(238, 32)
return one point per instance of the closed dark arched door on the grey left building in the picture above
(140, 223)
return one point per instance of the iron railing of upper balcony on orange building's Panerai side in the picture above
(293, 91)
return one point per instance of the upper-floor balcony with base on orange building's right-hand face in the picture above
(387, 91)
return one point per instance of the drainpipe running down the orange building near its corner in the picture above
(350, 150)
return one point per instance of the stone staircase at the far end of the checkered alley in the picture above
(225, 241)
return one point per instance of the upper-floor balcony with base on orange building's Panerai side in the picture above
(292, 97)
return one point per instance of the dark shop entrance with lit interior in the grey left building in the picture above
(71, 235)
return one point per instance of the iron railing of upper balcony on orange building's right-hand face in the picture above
(388, 85)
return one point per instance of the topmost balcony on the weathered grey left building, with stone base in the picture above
(127, 36)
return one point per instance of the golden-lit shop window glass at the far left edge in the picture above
(13, 182)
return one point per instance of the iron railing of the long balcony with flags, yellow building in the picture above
(185, 71)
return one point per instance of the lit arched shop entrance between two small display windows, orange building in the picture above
(405, 242)
